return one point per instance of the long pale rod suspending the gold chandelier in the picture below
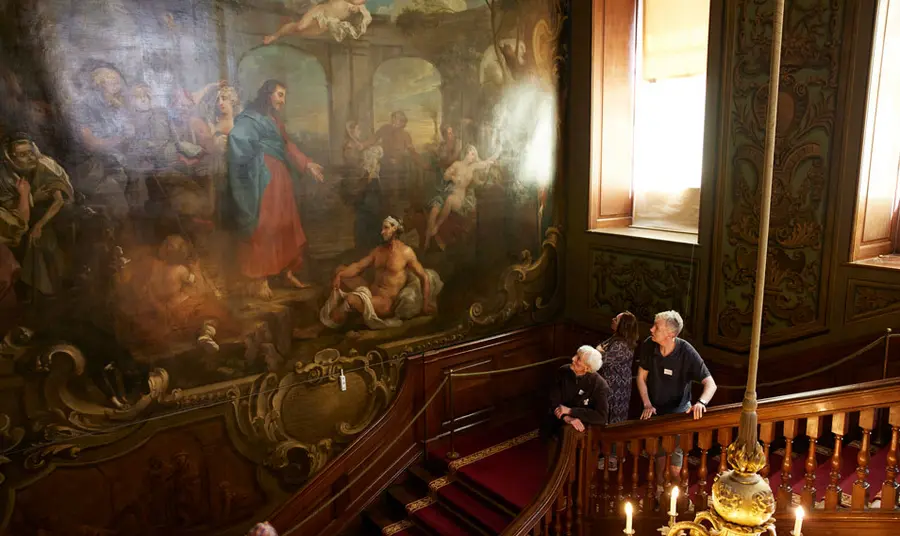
(747, 433)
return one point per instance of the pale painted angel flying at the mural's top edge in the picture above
(339, 17)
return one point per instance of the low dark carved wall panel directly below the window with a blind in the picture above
(644, 284)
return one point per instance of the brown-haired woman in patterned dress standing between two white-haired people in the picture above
(618, 355)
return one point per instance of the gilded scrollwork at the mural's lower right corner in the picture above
(522, 287)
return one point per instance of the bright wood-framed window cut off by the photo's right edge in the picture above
(876, 228)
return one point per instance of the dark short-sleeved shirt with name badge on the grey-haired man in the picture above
(669, 378)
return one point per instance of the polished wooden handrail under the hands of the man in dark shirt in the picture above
(856, 397)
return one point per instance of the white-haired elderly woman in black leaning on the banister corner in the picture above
(579, 396)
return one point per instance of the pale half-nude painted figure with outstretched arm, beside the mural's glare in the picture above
(456, 195)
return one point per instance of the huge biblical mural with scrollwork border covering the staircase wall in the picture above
(217, 207)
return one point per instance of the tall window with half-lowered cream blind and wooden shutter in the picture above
(649, 101)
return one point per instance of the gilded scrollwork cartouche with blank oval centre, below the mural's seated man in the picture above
(302, 419)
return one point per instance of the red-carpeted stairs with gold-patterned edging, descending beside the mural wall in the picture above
(498, 473)
